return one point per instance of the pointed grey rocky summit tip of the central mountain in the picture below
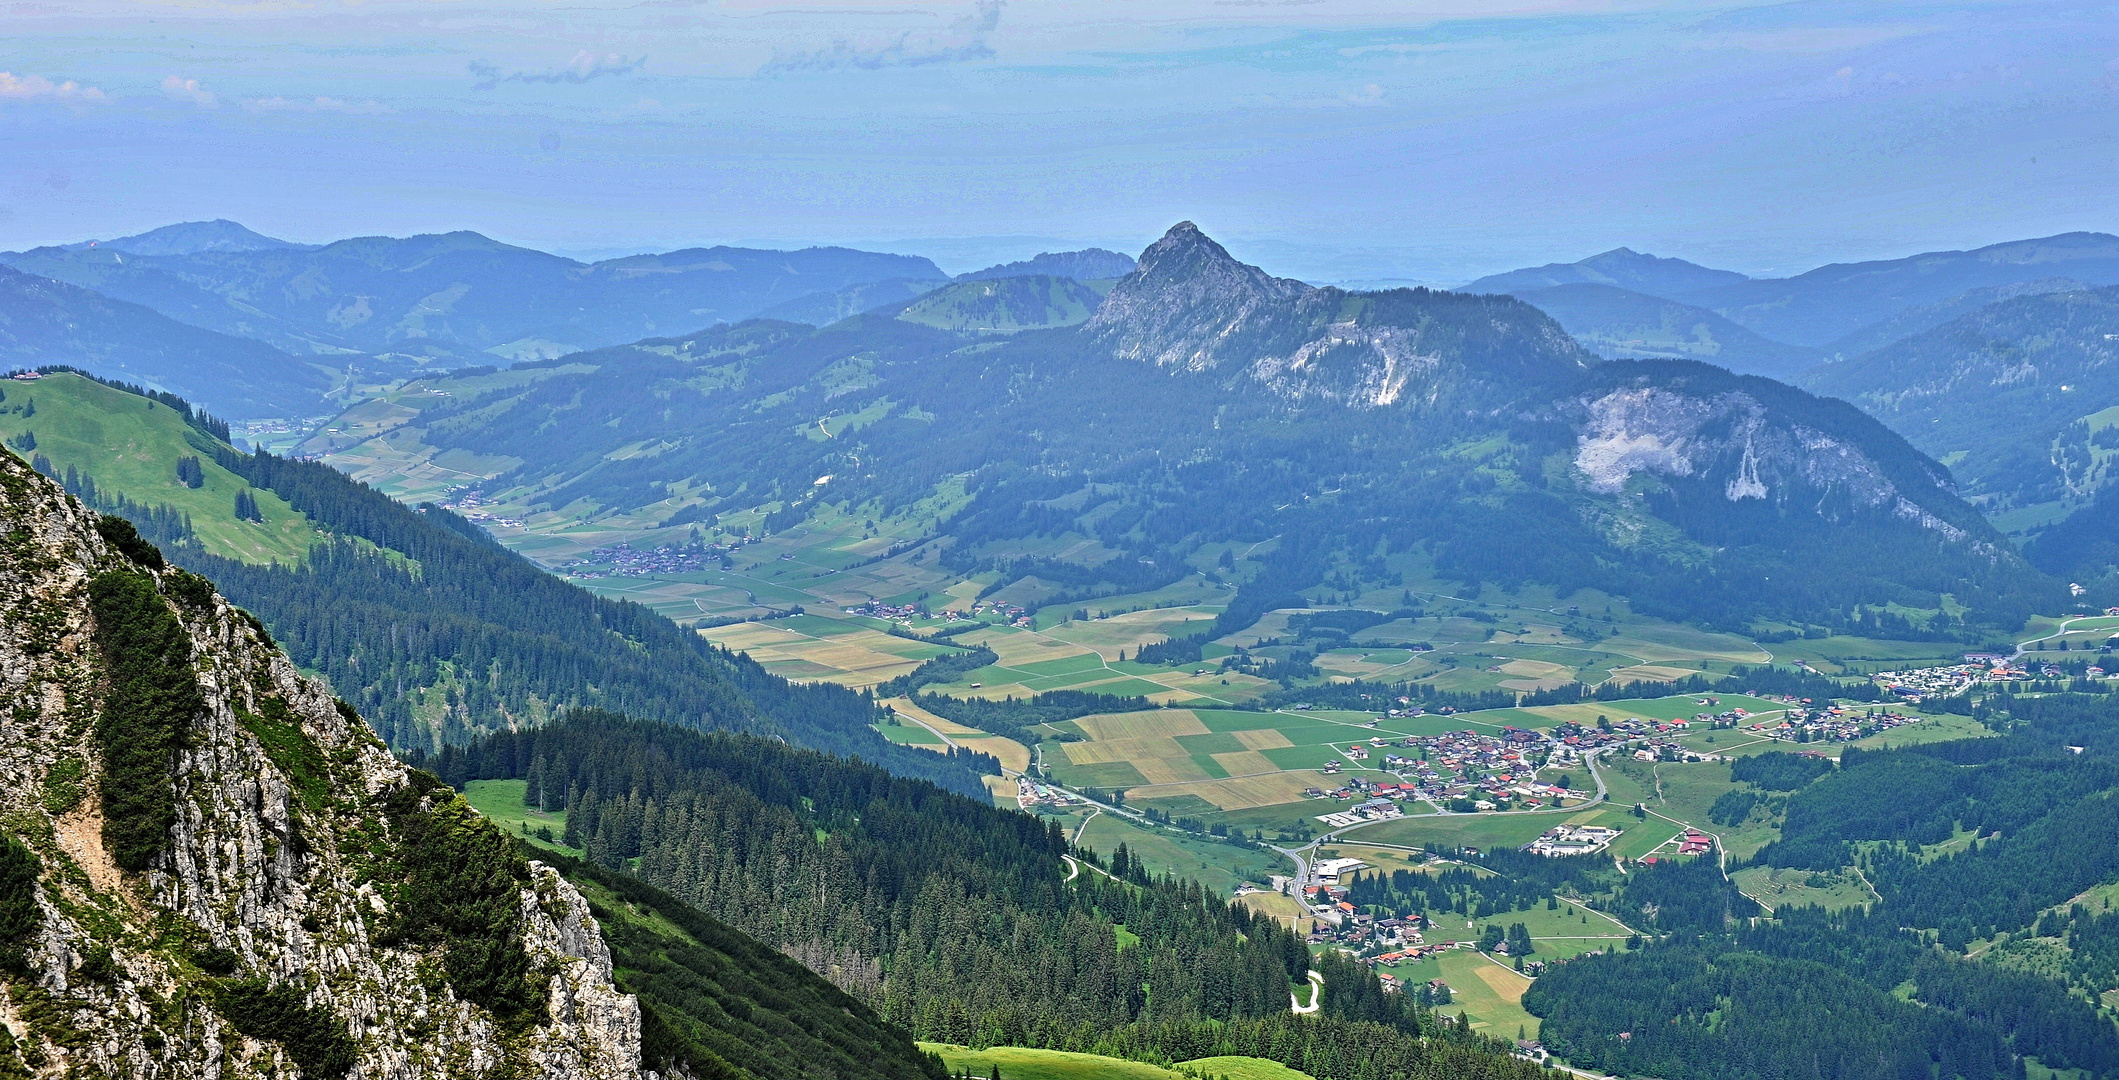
(1186, 302)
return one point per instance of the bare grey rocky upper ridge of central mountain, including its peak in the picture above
(1194, 308)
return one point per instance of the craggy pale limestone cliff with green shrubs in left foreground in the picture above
(277, 929)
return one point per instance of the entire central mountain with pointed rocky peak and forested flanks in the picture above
(1209, 403)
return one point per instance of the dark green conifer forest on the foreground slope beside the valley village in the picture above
(959, 920)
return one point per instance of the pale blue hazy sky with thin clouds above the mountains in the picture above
(1336, 141)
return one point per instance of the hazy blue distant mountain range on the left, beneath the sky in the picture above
(457, 295)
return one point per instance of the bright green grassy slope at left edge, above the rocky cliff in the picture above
(130, 446)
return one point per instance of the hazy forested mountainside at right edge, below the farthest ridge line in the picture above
(2018, 386)
